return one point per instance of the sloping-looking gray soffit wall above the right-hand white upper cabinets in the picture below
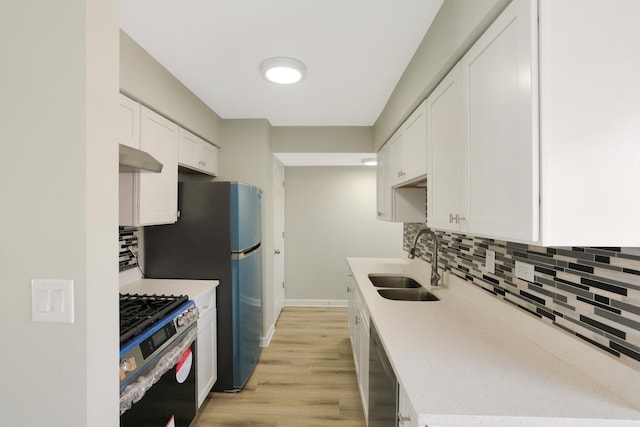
(457, 25)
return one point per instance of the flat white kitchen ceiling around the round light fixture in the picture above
(355, 52)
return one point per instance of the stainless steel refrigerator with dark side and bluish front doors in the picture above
(218, 236)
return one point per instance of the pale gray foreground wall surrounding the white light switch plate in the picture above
(59, 90)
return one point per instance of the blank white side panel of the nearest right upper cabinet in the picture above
(590, 122)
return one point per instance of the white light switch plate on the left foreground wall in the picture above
(52, 300)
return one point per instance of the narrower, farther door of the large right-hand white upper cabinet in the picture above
(448, 188)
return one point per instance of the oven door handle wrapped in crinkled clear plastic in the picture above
(136, 390)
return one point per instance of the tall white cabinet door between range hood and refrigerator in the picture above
(158, 192)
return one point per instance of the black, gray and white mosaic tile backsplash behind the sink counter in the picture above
(590, 293)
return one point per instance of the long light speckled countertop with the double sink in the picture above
(471, 360)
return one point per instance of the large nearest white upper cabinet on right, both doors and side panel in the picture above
(550, 132)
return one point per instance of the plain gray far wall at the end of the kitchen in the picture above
(330, 215)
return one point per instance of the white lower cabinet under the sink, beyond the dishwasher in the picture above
(359, 333)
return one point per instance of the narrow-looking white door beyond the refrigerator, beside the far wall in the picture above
(278, 237)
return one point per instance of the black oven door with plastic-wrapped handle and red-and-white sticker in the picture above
(172, 400)
